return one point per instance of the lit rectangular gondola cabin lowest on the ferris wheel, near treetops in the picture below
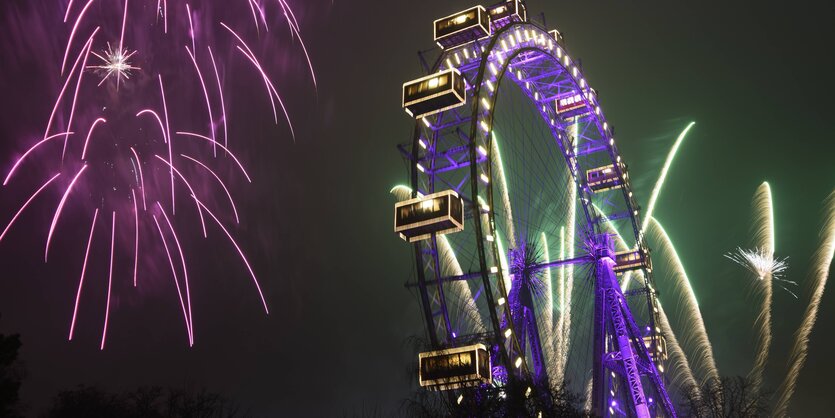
(455, 368)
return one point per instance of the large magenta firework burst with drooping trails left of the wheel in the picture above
(138, 131)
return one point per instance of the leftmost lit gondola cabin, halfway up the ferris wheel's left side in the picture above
(438, 213)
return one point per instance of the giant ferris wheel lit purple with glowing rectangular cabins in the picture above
(532, 268)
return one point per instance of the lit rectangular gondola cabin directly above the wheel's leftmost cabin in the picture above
(434, 93)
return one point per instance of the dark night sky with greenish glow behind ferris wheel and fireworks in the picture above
(317, 219)
